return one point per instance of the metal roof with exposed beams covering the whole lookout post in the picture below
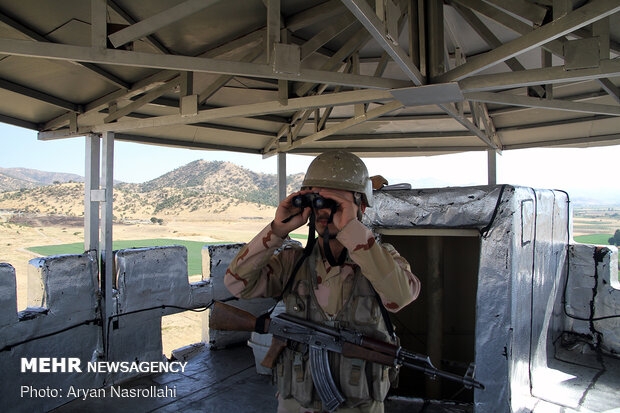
(301, 76)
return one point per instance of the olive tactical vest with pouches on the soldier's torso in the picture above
(359, 381)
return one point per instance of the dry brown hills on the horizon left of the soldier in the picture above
(198, 189)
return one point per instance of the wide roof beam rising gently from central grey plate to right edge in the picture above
(556, 74)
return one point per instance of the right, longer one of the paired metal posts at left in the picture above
(107, 264)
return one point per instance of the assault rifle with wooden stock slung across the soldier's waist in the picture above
(320, 339)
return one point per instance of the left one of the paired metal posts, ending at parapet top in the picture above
(91, 183)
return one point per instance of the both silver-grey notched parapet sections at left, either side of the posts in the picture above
(63, 319)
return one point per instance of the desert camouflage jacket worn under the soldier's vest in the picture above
(258, 271)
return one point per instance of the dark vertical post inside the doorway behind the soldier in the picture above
(434, 312)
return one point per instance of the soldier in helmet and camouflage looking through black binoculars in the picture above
(351, 291)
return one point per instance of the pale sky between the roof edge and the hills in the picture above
(585, 173)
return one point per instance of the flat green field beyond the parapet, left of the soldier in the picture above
(194, 257)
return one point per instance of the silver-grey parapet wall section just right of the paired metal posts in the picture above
(151, 283)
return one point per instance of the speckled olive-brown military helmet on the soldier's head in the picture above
(340, 170)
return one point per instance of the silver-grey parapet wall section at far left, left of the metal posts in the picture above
(62, 325)
